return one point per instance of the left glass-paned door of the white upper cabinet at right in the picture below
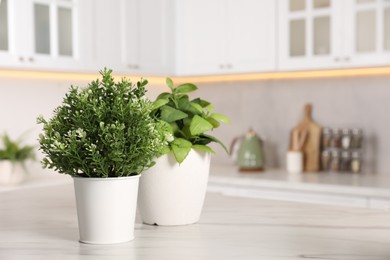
(309, 34)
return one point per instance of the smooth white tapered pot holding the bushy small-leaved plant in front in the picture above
(106, 209)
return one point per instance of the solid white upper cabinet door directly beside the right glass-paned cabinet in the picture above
(250, 35)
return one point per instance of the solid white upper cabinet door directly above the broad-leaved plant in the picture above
(200, 34)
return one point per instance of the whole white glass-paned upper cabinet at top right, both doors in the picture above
(317, 34)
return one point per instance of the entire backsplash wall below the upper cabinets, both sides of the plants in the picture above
(271, 107)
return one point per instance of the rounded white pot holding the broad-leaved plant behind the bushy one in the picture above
(173, 194)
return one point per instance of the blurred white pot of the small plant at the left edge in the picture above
(11, 173)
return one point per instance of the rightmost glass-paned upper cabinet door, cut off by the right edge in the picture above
(367, 41)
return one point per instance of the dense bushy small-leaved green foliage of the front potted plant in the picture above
(104, 130)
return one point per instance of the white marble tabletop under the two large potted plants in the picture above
(41, 223)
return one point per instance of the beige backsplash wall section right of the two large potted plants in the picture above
(274, 107)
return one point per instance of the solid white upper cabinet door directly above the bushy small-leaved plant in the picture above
(147, 42)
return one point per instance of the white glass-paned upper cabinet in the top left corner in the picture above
(39, 34)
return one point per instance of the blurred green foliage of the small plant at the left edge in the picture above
(14, 151)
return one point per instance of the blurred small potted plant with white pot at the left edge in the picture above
(13, 156)
